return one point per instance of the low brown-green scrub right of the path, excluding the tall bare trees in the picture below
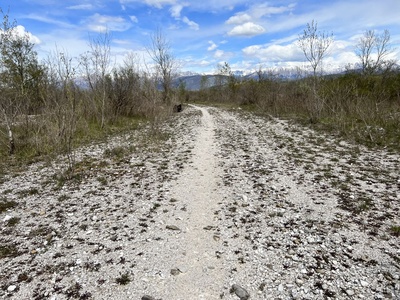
(362, 108)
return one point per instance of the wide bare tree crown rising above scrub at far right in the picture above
(372, 50)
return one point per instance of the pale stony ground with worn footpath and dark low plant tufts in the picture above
(214, 204)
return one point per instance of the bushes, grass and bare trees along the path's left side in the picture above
(53, 106)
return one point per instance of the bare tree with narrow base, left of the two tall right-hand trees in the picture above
(314, 45)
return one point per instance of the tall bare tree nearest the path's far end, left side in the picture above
(160, 52)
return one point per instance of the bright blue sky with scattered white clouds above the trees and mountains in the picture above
(202, 34)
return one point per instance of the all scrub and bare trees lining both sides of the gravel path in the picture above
(51, 107)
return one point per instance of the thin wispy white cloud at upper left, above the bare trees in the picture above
(102, 23)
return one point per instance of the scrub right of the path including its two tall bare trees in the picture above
(362, 105)
